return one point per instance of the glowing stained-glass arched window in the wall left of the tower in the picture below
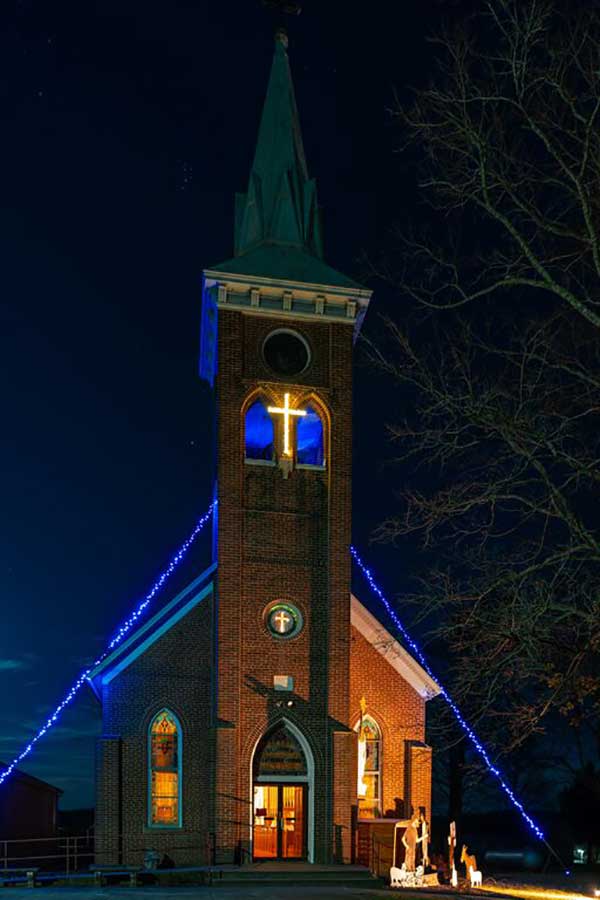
(164, 771)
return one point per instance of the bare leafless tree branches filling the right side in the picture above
(502, 370)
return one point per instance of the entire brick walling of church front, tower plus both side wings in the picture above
(278, 539)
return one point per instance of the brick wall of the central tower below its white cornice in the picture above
(283, 539)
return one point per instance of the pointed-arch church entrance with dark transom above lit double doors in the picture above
(282, 795)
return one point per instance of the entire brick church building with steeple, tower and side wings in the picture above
(264, 712)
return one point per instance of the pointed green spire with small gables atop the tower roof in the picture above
(280, 206)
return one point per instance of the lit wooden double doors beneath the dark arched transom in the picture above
(279, 823)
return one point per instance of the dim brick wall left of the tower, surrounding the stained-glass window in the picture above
(173, 673)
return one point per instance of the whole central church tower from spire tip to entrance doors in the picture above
(277, 341)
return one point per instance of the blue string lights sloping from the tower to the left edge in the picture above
(120, 634)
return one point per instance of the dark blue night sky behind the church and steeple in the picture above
(126, 129)
